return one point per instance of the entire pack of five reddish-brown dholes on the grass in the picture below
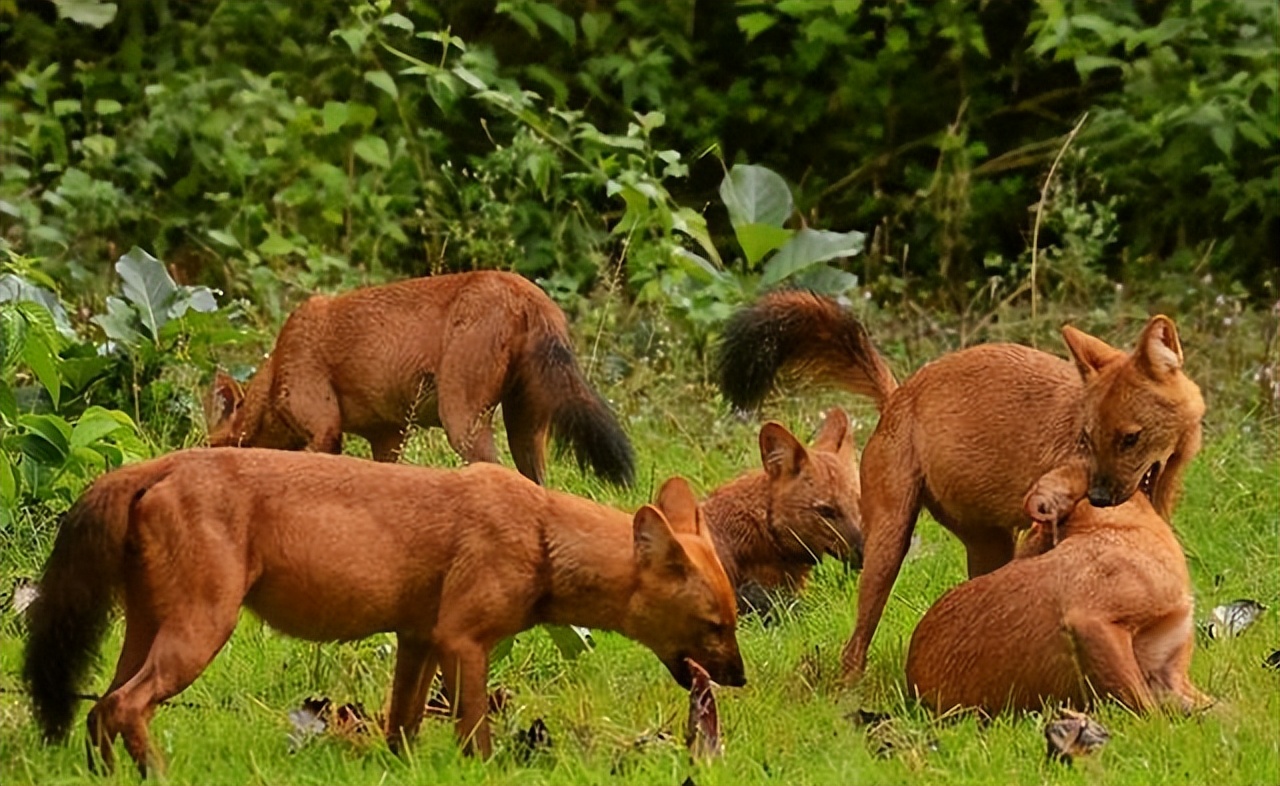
(1058, 477)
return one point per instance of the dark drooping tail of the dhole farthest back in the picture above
(580, 417)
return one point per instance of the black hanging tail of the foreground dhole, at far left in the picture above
(77, 593)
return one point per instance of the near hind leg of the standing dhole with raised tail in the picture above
(892, 485)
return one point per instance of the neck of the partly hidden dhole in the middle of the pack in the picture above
(738, 517)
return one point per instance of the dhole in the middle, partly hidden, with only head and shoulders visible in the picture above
(771, 527)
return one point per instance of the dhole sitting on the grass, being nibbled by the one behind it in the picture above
(1107, 613)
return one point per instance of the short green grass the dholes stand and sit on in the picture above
(793, 724)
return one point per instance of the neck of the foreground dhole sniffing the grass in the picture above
(591, 566)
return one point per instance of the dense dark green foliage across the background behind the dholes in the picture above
(273, 145)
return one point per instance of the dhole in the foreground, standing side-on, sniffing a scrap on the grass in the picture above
(335, 549)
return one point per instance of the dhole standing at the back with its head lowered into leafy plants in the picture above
(441, 351)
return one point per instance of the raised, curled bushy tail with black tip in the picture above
(802, 333)
